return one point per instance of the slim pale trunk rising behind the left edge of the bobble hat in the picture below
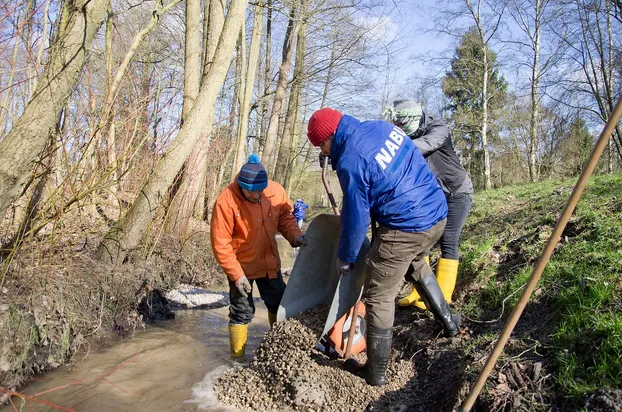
(247, 89)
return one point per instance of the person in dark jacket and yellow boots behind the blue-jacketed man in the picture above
(433, 139)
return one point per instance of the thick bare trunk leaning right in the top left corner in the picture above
(21, 148)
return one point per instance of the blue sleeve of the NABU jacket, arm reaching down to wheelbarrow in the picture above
(354, 212)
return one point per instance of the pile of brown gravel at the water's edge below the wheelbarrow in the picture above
(288, 373)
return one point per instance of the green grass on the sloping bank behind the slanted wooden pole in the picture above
(582, 286)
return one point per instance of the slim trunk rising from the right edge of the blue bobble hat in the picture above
(273, 128)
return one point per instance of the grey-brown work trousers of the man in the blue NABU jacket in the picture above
(394, 254)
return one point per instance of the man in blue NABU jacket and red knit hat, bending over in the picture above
(383, 175)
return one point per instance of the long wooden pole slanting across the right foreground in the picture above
(545, 256)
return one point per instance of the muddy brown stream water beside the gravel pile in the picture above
(166, 367)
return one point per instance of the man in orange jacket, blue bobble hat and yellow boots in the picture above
(245, 219)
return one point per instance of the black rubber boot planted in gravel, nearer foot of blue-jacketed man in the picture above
(378, 353)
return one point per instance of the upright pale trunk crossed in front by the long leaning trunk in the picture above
(188, 200)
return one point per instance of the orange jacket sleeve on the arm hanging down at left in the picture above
(221, 234)
